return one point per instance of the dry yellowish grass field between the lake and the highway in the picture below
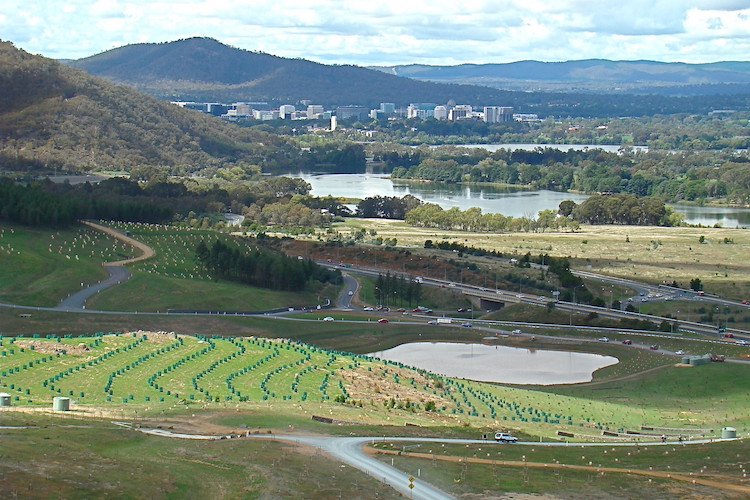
(642, 253)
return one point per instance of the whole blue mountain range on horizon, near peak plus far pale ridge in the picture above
(206, 70)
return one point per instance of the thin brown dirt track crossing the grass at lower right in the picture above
(713, 483)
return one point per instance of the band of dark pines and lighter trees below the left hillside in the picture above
(273, 201)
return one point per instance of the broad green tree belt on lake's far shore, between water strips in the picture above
(673, 176)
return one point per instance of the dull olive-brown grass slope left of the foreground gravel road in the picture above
(59, 458)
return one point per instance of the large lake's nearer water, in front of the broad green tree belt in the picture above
(491, 199)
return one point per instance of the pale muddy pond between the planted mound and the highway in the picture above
(509, 365)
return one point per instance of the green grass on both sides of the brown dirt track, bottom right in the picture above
(722, 462)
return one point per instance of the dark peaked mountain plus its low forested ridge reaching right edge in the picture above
(205, 70)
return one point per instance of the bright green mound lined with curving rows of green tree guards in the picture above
(149, 368)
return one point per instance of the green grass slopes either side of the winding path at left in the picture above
(41, 268)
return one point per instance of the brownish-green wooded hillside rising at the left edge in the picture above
(54, 116)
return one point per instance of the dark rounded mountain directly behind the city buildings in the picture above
(204, 69)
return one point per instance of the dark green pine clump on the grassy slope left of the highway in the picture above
(262, 267)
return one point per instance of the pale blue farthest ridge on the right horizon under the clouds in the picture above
(591, 75)
